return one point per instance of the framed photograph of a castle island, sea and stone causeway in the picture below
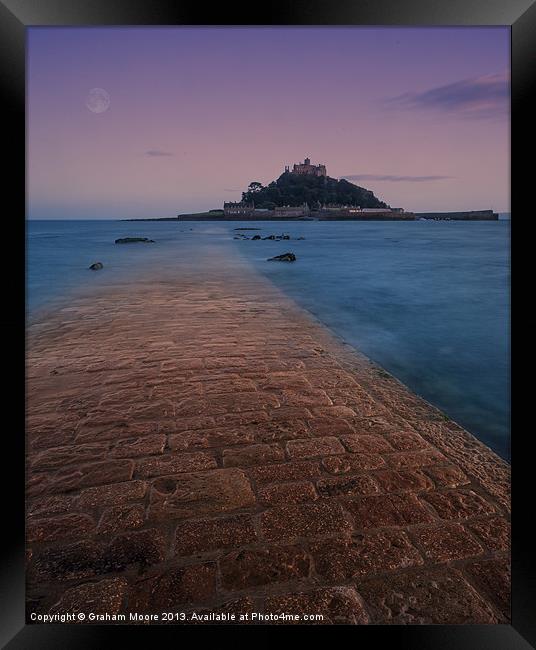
(267, 327)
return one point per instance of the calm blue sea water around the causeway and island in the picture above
(429, 301)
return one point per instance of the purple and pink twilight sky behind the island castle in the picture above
(420, 116)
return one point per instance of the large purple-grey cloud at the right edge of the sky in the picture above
(480, 97)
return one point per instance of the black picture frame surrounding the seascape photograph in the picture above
(15, 17)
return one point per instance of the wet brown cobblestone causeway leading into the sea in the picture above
(207, 446)
